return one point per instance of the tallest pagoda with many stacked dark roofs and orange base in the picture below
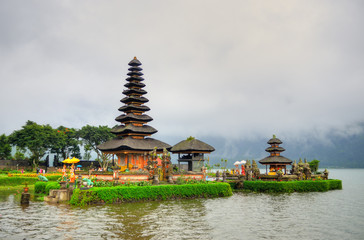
(132, 143)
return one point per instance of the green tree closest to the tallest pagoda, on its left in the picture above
(92, 137)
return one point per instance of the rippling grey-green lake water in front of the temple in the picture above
(335, 214)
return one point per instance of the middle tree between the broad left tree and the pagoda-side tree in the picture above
(66, 143)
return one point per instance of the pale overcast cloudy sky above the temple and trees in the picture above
(240, 69)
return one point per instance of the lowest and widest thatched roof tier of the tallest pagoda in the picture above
(128, 143)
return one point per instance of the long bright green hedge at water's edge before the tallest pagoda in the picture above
(141, 193)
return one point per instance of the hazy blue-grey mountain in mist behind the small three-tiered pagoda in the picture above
(335, 151)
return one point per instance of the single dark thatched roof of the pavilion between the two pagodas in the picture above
(191, 145)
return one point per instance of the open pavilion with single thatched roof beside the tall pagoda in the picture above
(191, 151)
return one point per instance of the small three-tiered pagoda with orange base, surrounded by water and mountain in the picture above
(275, 161)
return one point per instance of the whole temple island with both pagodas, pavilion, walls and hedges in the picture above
(143, 160)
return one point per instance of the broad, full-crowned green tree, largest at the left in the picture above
(35, 138)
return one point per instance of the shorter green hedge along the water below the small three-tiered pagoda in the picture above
(293, 186)
